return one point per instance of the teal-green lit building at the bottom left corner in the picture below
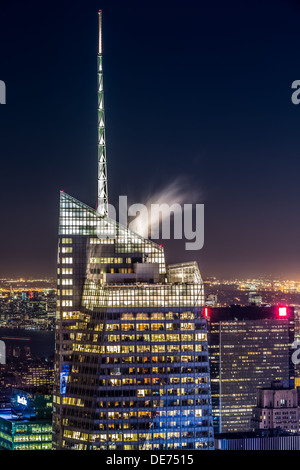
(27, 425)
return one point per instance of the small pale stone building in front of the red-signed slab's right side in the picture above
(277, 407)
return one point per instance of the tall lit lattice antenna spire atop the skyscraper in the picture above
(102, 208)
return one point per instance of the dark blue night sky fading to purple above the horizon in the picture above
(193, 89)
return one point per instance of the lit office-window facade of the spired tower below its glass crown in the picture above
(152, 382)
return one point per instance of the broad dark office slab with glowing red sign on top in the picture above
(249, 347)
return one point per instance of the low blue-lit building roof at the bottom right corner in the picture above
(259, 440)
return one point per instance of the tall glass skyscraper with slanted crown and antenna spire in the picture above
(131, 354)
